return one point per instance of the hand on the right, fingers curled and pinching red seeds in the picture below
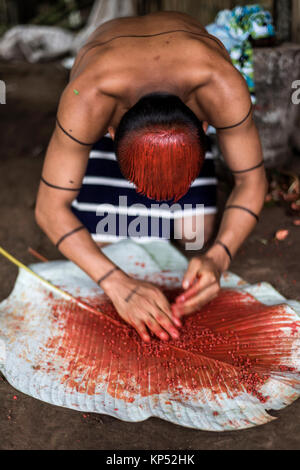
(201, 283)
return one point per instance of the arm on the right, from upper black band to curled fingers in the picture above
(241, 148)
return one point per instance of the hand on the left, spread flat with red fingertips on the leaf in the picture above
(143, 305)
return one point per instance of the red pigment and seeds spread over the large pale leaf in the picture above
(234, 344)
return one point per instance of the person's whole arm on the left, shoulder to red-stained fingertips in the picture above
(85, 118)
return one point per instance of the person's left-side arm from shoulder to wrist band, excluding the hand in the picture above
(63, 172)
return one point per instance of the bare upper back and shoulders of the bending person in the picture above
(167, 51)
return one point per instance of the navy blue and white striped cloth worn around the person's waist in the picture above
(109, 206)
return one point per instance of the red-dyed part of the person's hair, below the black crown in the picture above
(162, 161)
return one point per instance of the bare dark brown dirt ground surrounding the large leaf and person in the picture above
(26, 423)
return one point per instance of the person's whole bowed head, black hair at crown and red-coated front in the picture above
(160, 146)
